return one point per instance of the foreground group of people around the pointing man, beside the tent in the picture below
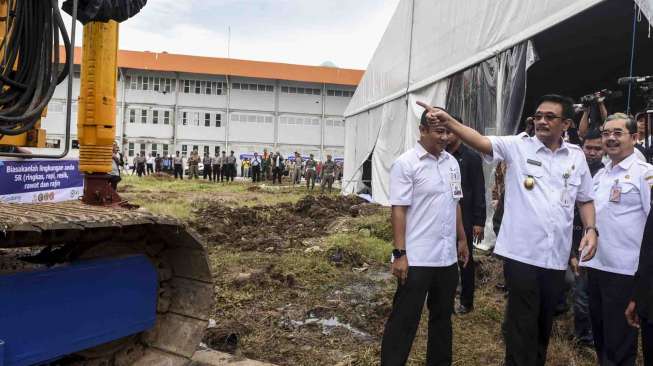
(560, 183)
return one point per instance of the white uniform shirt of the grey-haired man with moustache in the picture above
(621, 224)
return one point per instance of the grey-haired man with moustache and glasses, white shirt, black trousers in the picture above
(622, 193)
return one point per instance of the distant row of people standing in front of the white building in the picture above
(224, 168)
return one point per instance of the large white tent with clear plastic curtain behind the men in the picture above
(443, 52)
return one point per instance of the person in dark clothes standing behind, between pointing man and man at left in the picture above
(473, 210)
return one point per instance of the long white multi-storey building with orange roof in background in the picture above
(167, 103)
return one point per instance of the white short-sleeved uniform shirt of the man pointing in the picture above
(537, 223)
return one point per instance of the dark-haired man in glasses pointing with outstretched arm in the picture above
(545, 177)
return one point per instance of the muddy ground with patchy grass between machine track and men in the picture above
(303, 278)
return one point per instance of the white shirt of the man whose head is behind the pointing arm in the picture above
(423, 182)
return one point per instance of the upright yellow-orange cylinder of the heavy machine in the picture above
(96, 119)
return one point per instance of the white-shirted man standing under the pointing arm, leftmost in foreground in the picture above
(429, 239)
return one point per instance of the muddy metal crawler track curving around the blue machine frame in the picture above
(79, 231)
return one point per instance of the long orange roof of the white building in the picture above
(233, 67)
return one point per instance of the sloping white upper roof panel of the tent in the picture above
(448, 36)
